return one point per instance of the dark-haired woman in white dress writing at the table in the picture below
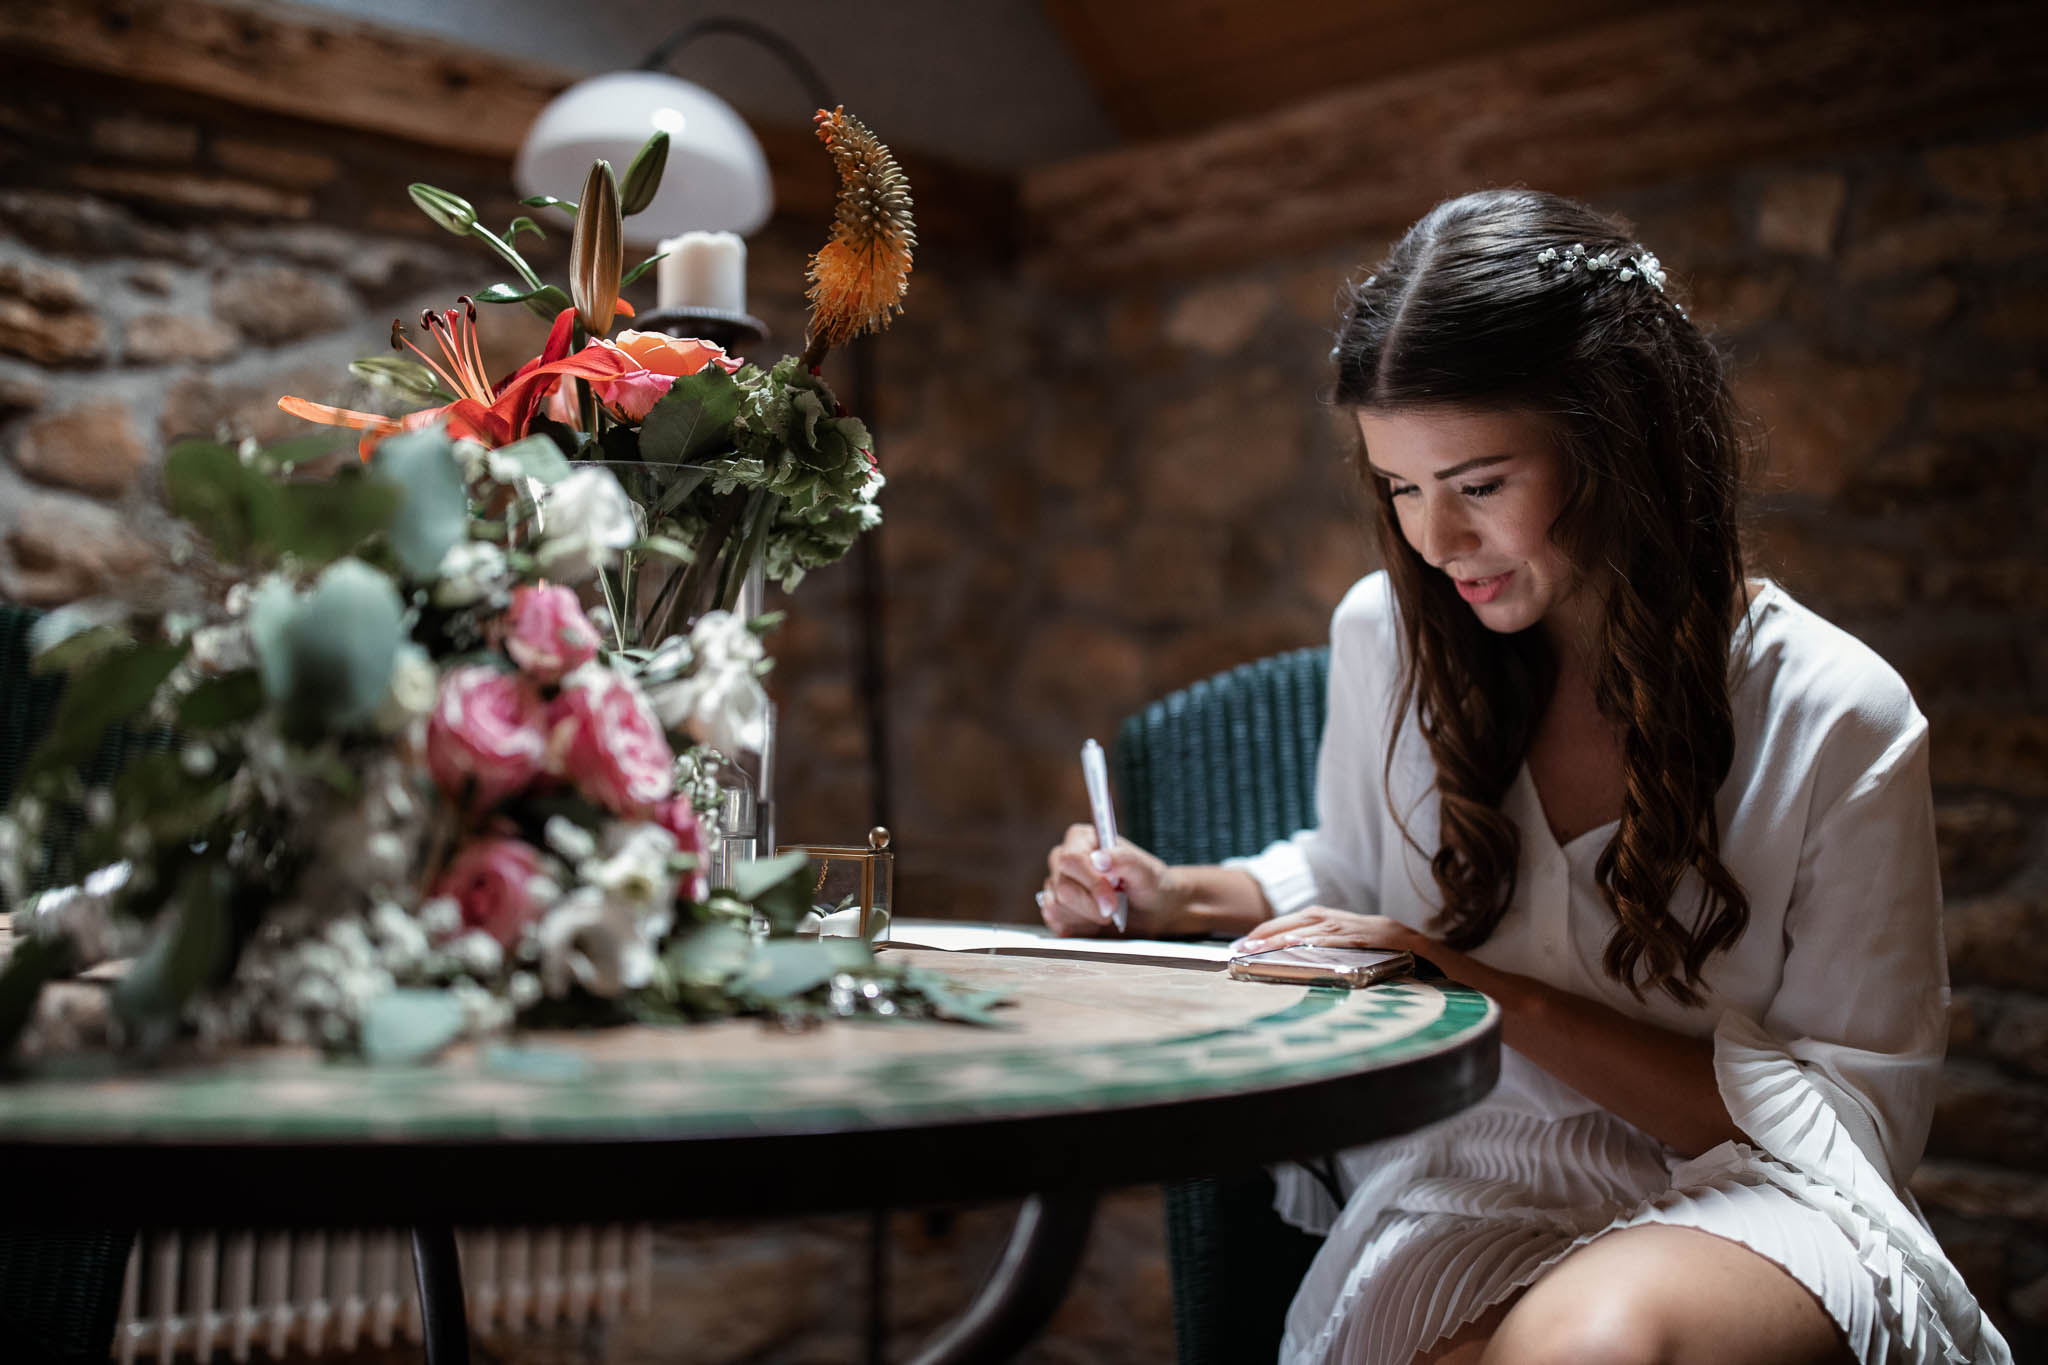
(1672, 822)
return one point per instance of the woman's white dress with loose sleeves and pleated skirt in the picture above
(1830, 1018)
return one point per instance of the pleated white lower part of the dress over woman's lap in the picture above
(1449, 1221)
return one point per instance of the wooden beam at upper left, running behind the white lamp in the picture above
(325, 69)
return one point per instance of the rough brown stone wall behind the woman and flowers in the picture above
(1103, 496)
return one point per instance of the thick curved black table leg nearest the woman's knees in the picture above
(1025, 1288)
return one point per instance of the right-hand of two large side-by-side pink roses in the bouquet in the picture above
(607, 742)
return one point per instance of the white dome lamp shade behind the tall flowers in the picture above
(716, 179)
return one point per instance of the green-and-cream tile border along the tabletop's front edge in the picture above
(546, 1088)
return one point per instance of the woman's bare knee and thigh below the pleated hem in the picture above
(1666, 1296)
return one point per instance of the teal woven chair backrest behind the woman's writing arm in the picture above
(1226, 766)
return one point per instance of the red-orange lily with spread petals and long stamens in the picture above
(495, 416)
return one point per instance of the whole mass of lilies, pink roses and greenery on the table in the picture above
(419, 768)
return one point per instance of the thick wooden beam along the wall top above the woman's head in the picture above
(1586, 112)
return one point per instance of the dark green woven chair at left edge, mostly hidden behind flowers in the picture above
(60, 1292)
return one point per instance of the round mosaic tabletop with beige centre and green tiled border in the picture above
(1078, 1037)
